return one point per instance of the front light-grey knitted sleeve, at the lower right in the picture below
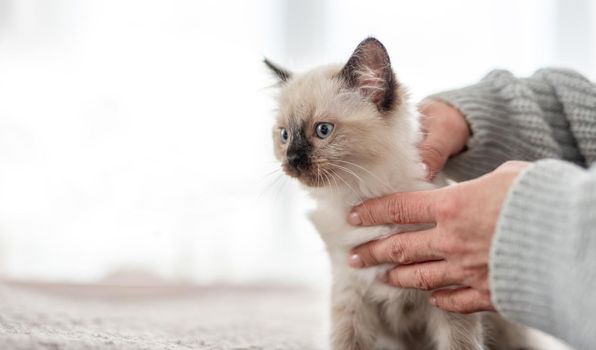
(542, 270)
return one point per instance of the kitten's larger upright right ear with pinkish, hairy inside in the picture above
(369, 71)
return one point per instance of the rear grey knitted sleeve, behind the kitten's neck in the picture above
(549, 115)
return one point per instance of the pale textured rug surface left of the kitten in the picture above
(173, 318)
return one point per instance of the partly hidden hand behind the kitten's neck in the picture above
(446, 134)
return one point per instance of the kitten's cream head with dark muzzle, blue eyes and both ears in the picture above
(337, 119)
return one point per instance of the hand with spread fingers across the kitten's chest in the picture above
(453, 253)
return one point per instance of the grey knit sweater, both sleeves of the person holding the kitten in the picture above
(543, 259)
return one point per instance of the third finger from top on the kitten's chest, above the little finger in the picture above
(426, 276)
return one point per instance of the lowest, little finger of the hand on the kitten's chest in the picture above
(463, 300)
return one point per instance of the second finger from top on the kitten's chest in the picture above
(401, 248)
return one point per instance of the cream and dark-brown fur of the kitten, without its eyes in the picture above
(370, 152)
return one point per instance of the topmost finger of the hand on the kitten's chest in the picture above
(397, 208)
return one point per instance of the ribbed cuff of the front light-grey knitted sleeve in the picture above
(532, 245)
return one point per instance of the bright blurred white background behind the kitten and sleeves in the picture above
(135, 134)
